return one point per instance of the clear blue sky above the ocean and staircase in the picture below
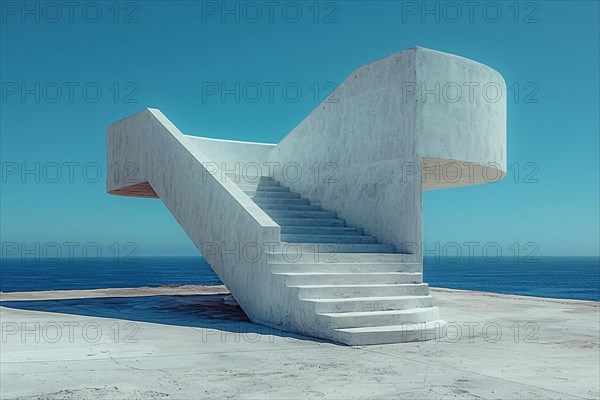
(166, 51)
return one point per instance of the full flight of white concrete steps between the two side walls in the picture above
(356, 290)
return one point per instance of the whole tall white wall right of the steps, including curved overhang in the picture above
(384, 129)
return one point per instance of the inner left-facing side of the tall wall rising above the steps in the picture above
(367, 137)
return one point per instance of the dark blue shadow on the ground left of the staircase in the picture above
(212, 311)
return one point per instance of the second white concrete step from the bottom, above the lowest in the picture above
(379, 318)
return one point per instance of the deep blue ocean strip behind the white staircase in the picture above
(556, 277)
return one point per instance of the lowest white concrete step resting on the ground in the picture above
(389, 334)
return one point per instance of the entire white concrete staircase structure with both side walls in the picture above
(320, 234)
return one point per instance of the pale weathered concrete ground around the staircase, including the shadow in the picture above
(202, 346)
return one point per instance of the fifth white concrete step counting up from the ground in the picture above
(340, 278)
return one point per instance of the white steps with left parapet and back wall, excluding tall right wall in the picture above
(290, 264)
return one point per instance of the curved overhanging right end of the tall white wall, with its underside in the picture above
(460, 120)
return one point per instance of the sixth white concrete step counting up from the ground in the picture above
(341, 267)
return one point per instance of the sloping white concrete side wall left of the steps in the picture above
(224, 224)
